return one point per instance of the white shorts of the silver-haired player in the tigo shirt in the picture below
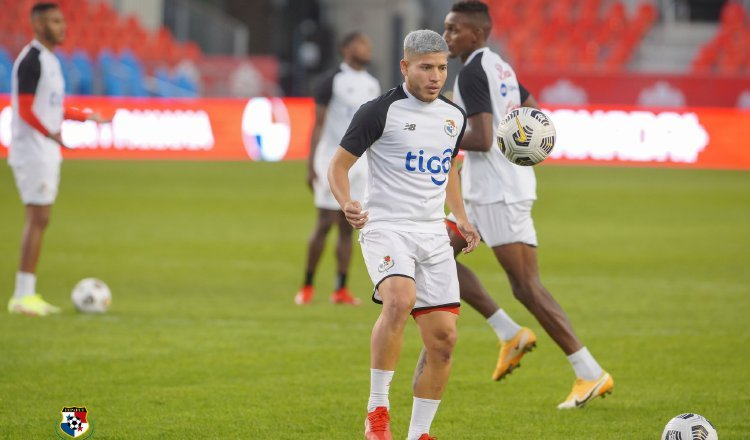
(425, 258)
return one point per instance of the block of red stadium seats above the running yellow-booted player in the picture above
(575, 34)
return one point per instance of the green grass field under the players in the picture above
(203, 339)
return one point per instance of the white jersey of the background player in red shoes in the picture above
(342, 92)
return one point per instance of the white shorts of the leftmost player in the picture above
(37, 182)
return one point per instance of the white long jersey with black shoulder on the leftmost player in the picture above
(36, 73)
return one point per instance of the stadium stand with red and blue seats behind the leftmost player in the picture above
(104, 52)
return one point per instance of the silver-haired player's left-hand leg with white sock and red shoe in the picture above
(398, 294)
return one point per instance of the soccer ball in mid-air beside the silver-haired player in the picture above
(526, 136)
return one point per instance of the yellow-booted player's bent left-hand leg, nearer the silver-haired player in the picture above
(515, 341)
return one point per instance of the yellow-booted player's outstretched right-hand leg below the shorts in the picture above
(520, 263)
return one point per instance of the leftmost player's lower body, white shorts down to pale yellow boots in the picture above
(37, 185)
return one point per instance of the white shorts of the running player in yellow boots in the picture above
(502, 223)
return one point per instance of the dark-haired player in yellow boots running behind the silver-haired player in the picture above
(498, 197)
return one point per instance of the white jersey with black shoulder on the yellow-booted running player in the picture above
(487, 84)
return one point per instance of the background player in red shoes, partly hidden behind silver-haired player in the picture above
(337, 97)
